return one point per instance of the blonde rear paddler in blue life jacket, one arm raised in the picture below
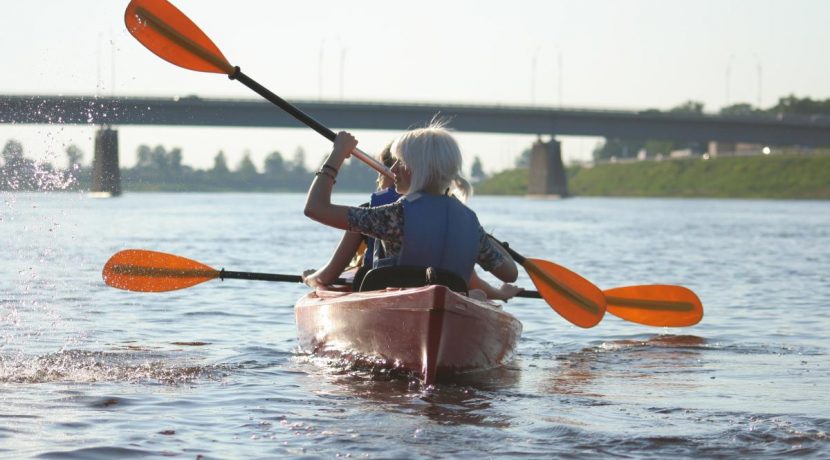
(429, 226)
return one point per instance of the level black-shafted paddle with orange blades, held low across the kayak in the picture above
(150, 271)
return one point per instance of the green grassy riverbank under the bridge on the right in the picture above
(764, 176)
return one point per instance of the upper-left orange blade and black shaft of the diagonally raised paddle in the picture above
(172, 36)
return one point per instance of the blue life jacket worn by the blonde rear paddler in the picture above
(439, 232)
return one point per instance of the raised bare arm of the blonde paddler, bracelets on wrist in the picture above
(318, 205)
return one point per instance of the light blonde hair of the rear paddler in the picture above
(434, 159)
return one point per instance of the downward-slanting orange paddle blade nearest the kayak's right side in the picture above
(571, 295)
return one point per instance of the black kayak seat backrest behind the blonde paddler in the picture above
(411, 276)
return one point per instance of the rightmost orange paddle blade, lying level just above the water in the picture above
(655, 305)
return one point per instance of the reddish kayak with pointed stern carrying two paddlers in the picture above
(431, 333)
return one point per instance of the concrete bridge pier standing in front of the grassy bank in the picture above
(546, 175)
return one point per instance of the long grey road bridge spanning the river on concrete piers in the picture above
(195, 111)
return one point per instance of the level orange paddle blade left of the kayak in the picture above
(150, 271)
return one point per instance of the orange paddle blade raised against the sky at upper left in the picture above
(166, 31)
